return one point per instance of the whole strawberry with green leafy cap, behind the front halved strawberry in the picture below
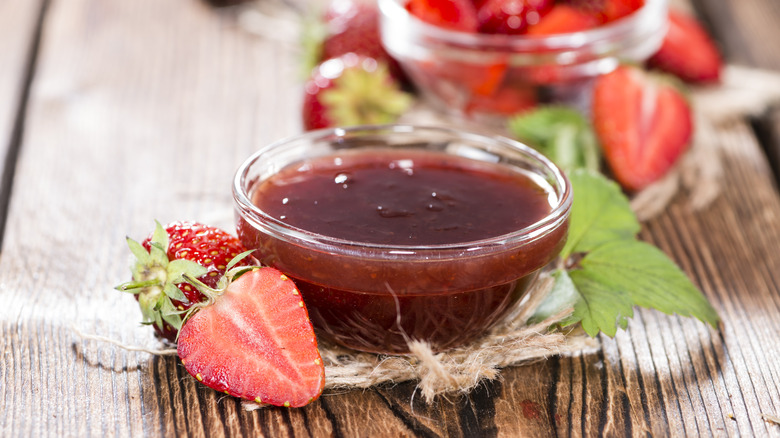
(162, 260)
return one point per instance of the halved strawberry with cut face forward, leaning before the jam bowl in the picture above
(254, 340)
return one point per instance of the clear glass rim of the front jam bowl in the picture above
(279, 229)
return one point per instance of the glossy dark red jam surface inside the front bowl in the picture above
(403, 198)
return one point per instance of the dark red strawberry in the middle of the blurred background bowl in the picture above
(510, 16)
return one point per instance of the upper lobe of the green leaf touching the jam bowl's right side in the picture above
(600, 213)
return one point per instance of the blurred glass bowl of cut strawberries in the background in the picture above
(488, 77)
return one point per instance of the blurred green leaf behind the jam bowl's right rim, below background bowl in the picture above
(562, 134)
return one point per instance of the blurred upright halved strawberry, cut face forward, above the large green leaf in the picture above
(644, 125)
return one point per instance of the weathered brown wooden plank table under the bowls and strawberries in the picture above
(117, 112)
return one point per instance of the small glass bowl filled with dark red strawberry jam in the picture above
(390, 243)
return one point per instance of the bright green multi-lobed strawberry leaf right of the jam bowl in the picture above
(609, 271)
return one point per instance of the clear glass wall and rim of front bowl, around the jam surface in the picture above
(375, 296)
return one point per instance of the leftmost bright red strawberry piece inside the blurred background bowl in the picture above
(450, 14)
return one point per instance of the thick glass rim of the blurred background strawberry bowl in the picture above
(615, 30)
